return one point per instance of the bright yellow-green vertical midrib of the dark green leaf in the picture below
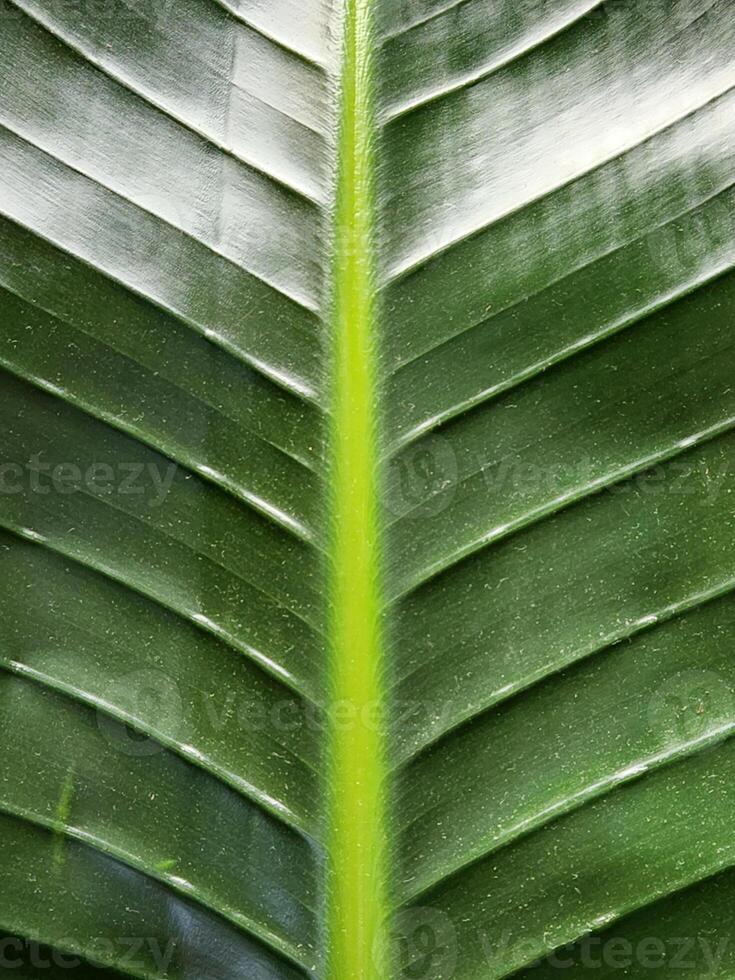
(356, 812)
